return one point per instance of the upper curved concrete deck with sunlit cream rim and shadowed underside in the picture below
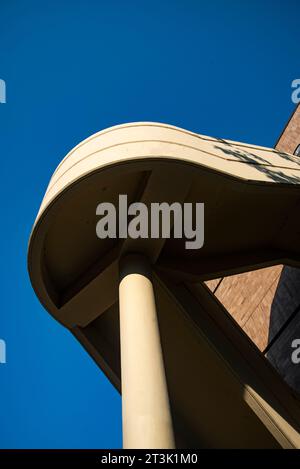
(249, 192)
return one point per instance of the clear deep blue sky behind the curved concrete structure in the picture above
(221, 68)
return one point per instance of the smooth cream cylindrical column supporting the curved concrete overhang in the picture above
(145, 404)
